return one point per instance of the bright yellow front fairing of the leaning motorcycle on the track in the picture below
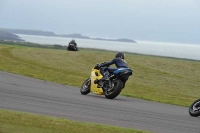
(95, 74)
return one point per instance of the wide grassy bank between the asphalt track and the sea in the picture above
(160, 79)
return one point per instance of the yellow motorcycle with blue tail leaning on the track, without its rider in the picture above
(110, 87)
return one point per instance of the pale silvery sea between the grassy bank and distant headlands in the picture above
(174, 50)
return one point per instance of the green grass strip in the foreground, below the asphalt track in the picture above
(18, 122)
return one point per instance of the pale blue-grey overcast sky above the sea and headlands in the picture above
(149, 20)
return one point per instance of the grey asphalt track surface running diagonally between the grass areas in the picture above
(40, 97)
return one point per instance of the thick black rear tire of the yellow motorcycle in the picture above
(115, 90)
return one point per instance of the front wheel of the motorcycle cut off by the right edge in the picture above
(194, 109)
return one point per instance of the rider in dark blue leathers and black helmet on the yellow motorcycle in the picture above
(119, 63)
